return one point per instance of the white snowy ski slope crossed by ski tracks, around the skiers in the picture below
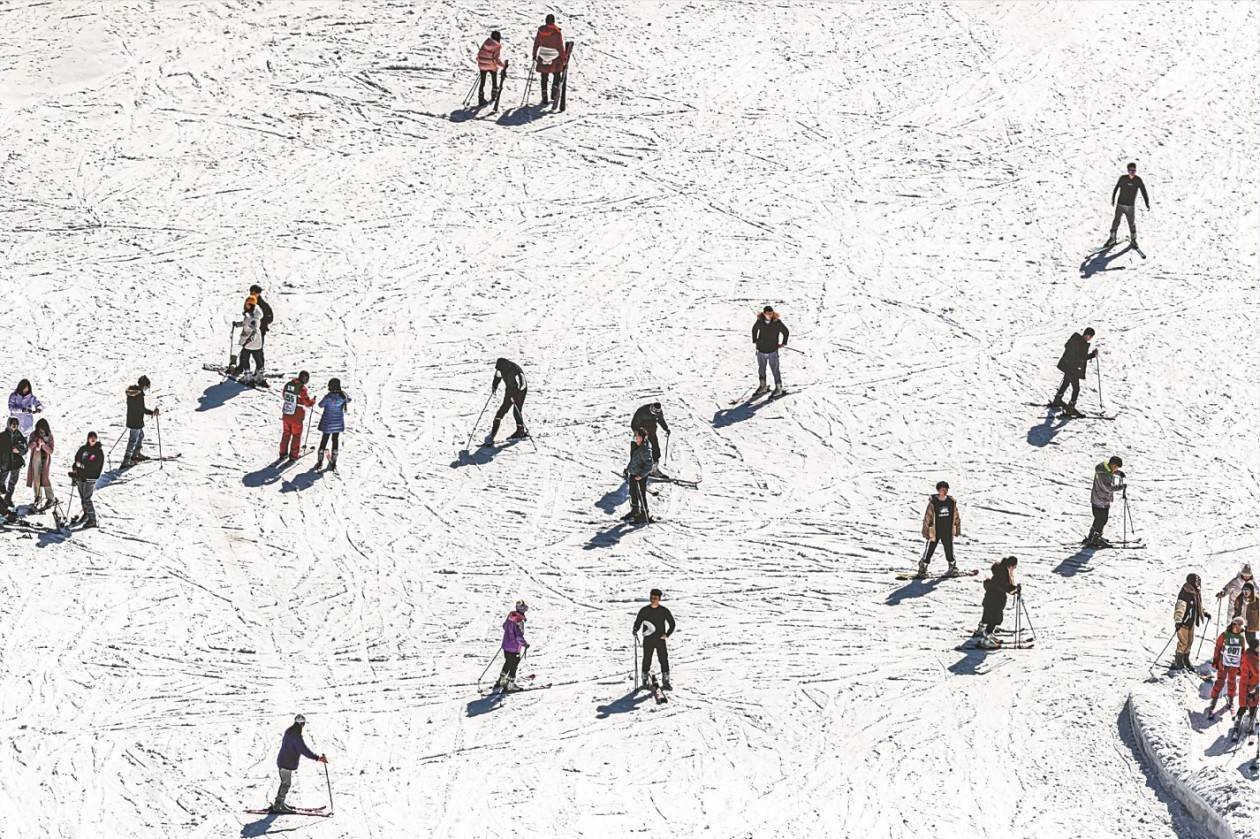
(915, 187)
